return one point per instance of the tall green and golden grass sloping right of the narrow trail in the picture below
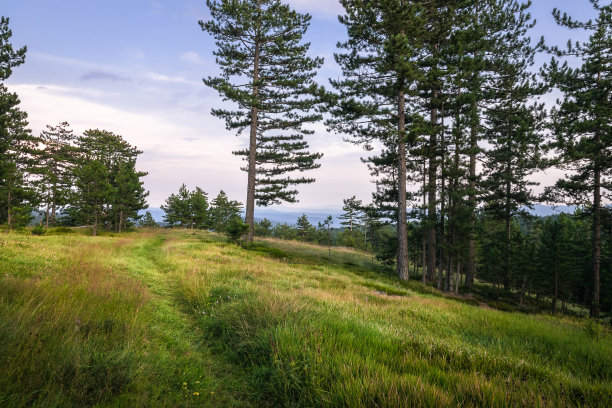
(322, 335)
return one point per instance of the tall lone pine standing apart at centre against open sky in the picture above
(267, 73)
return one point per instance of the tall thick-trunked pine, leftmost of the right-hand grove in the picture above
(379, 66)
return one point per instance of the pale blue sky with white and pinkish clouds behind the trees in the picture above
(135, 68)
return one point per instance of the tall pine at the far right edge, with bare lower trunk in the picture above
(582, 124)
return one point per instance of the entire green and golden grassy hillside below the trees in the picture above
(184, 319)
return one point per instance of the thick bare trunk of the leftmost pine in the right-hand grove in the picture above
(402, 229)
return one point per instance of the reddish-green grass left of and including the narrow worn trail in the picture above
(96, 322)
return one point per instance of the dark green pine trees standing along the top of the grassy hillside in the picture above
(446, 98)
